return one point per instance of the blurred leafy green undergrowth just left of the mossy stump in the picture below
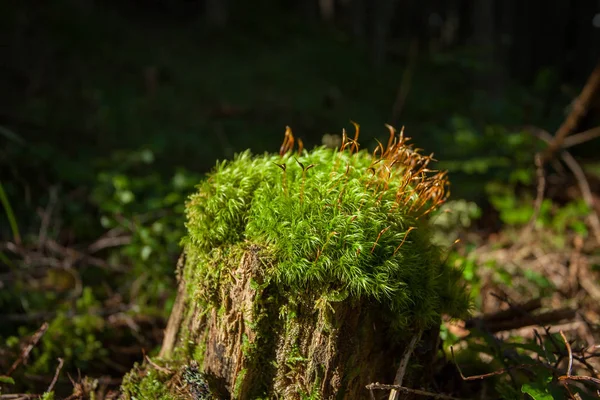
(147, 210)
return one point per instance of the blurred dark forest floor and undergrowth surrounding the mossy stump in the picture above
(112, 111)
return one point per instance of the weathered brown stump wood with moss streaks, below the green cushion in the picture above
(260, 340)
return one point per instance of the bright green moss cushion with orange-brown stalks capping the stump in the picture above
(345, 222)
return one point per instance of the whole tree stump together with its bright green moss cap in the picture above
(307, 273)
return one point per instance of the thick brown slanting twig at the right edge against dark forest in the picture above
(578, 111)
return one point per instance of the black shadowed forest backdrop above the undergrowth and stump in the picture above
(196, 81)
